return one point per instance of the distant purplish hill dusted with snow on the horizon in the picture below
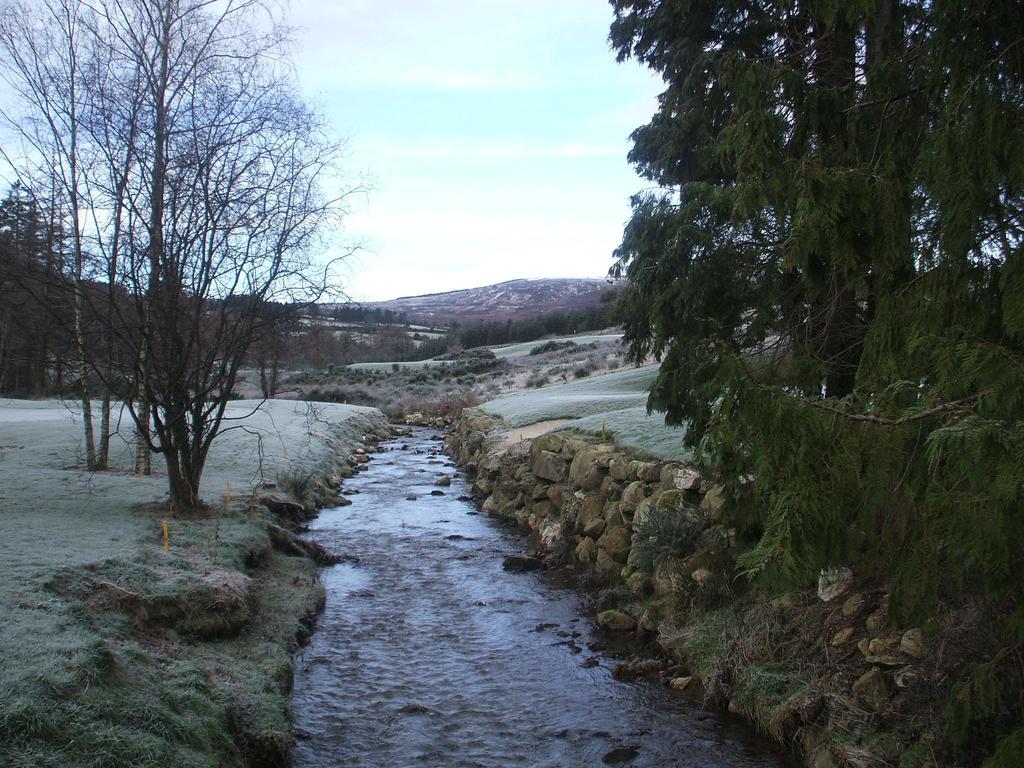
(513, 301)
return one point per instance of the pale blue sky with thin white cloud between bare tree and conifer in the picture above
(493, 136)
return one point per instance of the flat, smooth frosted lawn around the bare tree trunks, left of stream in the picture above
(52, 514)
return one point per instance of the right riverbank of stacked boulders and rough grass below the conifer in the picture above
(826, 672)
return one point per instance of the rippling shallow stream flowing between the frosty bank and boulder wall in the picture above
(429, 654)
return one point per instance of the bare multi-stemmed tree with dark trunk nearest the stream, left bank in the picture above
(205, 196)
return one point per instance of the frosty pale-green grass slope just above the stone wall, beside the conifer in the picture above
(613, 404)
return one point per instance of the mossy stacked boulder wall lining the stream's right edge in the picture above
(584, 499)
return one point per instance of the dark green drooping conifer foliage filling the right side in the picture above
(830, 269)
